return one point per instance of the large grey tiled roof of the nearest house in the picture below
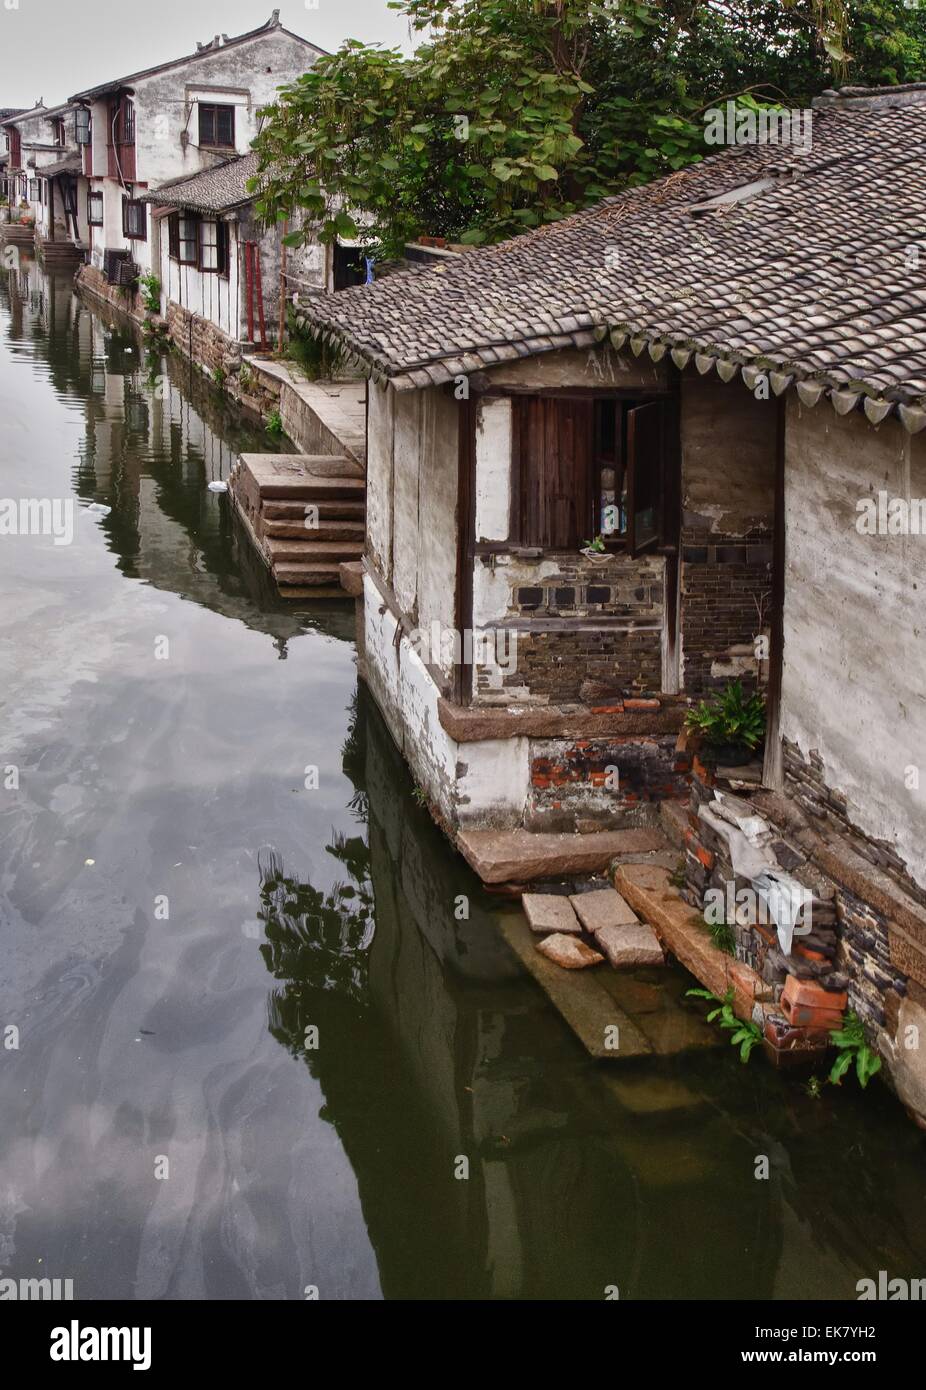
(820, 277)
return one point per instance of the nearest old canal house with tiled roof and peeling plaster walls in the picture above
(724, 376)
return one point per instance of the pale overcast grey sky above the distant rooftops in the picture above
(54, 48)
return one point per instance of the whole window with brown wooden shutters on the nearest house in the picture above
(589, 468)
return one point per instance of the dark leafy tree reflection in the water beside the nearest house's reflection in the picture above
(318, 943)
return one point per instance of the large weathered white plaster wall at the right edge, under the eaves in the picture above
(854, 683)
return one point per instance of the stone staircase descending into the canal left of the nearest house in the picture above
(307, 516)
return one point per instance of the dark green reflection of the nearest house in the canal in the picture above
(433, 1045)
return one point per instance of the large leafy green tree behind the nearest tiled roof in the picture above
(514, 113)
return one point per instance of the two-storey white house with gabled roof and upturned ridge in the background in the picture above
(169, 123)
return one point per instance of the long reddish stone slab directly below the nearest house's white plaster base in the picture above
(522, 857)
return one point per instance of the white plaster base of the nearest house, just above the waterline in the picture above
(471, 783)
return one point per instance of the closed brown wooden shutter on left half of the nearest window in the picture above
(555, 445)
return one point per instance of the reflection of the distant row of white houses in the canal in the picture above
(155, 436)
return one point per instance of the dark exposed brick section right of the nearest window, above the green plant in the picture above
(725, 582)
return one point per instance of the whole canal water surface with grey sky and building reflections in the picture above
(247, 1042)
